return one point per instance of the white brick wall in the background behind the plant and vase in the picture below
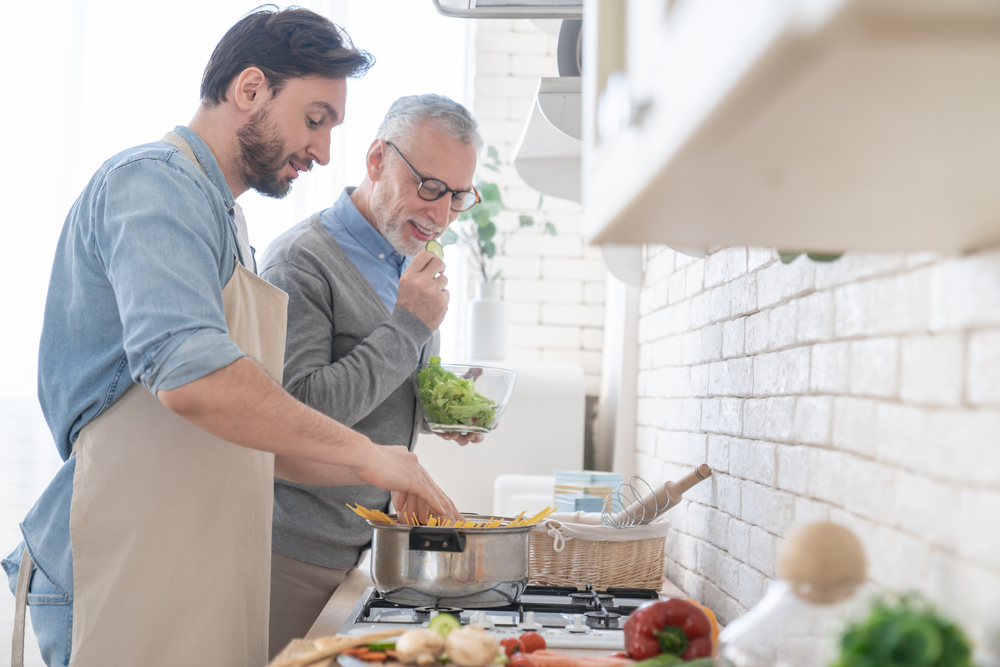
(554, 285)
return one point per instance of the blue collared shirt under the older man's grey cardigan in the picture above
(374, 256)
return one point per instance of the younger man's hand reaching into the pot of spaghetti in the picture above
(397, 469)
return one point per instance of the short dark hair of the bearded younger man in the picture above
(284, 44)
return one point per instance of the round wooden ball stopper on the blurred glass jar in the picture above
(822, 562)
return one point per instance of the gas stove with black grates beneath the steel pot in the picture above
(566, 617)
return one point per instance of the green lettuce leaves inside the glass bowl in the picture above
(449, 399)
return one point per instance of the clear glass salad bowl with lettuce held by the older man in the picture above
(454, 398)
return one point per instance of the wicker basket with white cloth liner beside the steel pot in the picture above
(569, 550)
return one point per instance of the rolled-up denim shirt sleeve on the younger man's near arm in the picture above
(161, 249)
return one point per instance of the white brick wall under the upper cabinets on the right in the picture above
(864, 391)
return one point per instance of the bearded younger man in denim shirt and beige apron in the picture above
(160, 368)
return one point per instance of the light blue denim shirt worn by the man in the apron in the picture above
(135, 296)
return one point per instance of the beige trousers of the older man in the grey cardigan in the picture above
(299, 591)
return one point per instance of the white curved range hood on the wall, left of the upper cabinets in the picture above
(548, 155)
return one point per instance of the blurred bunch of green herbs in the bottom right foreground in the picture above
(904, 632)
